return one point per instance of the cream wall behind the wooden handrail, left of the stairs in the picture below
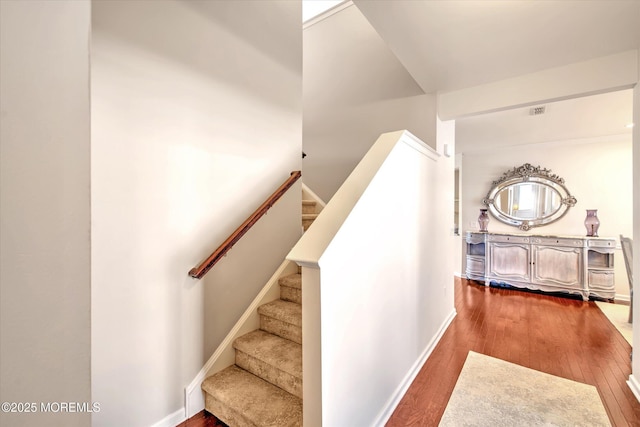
(196, 119)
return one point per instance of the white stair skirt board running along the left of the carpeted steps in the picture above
(224, 354)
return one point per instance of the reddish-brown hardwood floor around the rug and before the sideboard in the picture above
(560, 336)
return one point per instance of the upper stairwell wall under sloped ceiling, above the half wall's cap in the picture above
(354, 90)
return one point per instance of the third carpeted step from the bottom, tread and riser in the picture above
(282, 318)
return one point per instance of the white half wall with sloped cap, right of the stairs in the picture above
(383, 246)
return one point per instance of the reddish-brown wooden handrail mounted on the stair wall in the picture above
(202, 269)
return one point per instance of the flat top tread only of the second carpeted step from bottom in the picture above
(273, 350)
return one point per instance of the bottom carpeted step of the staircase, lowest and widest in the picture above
(239, 398)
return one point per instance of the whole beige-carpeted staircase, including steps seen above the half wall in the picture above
(264, 387)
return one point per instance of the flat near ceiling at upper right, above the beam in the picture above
(447, 45)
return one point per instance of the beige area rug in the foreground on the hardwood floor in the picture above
(492, 392)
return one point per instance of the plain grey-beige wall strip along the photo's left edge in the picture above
(45, 211)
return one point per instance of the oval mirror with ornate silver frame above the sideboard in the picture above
(528, 196)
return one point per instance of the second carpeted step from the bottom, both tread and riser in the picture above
(274, 359)
